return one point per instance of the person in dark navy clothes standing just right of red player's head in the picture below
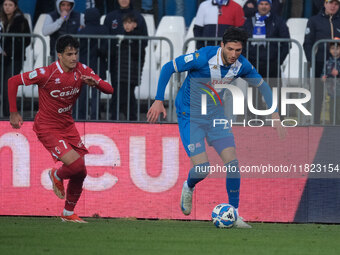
(89, 54)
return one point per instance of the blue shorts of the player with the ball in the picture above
(194, 130)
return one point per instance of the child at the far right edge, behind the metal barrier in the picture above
(331, 78)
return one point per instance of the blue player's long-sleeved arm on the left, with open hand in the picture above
(180, 64)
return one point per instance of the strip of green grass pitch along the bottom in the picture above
(40, 235)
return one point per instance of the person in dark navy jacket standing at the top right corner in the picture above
(324, 25)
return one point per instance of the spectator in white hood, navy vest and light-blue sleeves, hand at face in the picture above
(60, 22)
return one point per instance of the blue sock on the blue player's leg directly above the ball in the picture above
(233, 182)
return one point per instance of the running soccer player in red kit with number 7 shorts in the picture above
(59, 87)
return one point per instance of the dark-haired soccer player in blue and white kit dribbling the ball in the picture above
(217, 64)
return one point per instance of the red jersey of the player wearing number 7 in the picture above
(58, 91)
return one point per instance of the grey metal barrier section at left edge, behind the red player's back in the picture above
(26, 64)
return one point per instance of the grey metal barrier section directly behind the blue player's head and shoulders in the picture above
(287, 75)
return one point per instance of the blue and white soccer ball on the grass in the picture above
(224, 216)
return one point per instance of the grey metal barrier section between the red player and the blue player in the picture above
(146, 71)
